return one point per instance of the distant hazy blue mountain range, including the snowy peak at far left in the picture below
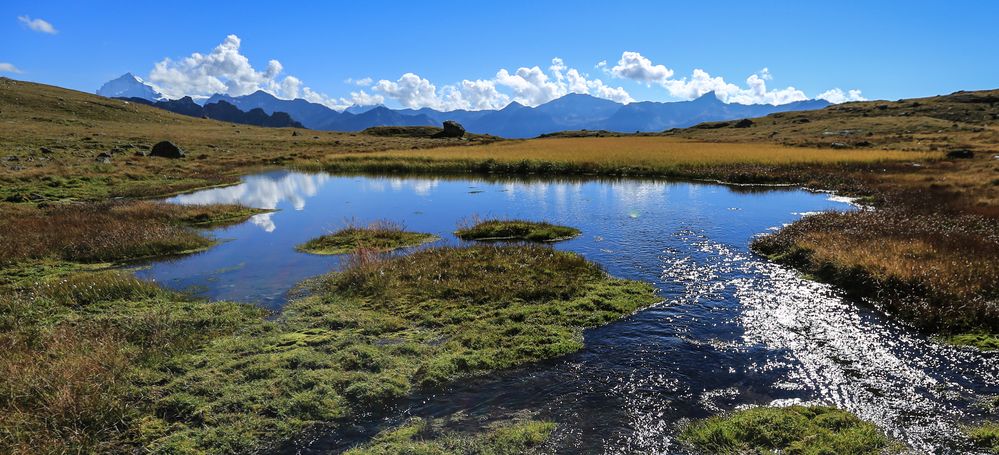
(570, 112)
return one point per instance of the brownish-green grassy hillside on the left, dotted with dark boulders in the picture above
(50, 138)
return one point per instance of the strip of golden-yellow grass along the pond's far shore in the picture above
(657, 152)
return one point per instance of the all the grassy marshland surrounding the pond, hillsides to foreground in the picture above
(96, 360)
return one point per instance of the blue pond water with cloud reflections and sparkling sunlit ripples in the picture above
(733, 330)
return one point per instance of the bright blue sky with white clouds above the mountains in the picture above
(887, 50)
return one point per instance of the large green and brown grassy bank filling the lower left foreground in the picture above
(128, 365)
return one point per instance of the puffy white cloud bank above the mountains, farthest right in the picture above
(634, 66)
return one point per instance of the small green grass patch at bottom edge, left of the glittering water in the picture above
(420, 436)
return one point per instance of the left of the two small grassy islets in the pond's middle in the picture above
(380, 236)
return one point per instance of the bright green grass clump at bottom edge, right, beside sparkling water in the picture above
(795, 429)
